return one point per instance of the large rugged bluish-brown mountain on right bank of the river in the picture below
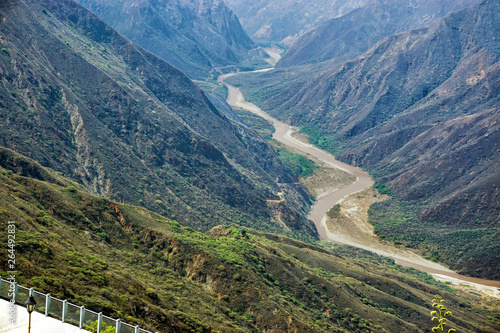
(420, 110)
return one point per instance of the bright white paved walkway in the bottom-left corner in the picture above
(39, 323)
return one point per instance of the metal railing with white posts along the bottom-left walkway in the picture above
(66, 312)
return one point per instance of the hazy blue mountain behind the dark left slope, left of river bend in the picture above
(196, 36)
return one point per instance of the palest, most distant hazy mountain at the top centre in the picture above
(283, 20)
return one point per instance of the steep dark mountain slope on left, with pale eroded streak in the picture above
(79, 98)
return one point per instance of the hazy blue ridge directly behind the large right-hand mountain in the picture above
(350, 35)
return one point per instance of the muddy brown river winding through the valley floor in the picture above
(283, 133)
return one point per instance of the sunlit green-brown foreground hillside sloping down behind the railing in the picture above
(146, 269)
